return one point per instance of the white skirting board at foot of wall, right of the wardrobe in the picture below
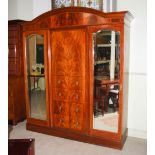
(137, 133)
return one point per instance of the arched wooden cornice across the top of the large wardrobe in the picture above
(74, 16)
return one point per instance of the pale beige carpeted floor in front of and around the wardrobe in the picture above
(50, 145)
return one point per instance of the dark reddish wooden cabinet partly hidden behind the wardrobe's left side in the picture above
(16, 96)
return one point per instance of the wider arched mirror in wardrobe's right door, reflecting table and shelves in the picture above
(106, 51)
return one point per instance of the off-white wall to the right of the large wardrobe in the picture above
(137, 74)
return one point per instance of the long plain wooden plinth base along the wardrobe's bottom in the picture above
(98, 140)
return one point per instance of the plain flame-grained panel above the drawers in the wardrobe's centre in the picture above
(68, 52)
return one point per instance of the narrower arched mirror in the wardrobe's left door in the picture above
(36, 76)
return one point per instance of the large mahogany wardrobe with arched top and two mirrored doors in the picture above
(75, 61)
